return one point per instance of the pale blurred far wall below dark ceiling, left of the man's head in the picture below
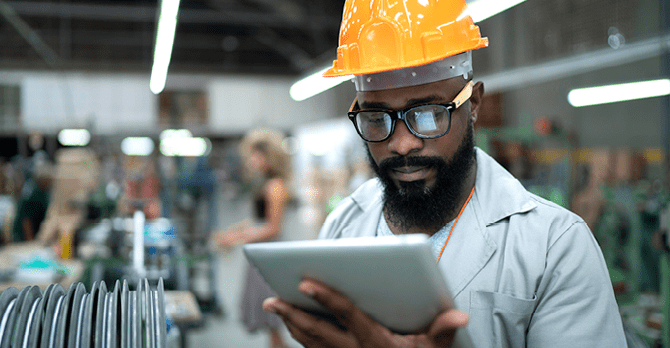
(123, 103)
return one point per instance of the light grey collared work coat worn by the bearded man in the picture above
(528, 272)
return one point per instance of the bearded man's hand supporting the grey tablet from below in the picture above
(354, 329)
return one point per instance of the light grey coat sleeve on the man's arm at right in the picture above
(576, 305)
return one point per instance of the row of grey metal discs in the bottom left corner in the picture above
(55, 318)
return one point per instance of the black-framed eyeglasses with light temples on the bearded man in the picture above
(427, 121)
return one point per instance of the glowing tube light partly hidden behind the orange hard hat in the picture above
(314, 84)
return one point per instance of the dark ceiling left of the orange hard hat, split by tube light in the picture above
(279, 37)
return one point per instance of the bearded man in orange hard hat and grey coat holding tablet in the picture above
(523, 271)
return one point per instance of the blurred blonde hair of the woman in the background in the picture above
(270, 144)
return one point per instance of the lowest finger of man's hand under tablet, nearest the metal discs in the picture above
(308, 329)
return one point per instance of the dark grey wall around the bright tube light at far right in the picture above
(631, 124)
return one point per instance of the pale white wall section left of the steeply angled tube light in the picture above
(104, 103)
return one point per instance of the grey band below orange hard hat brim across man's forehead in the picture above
(460, 64)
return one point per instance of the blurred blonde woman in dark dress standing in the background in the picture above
(268, 168)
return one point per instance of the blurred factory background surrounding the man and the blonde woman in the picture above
(111, 172)
